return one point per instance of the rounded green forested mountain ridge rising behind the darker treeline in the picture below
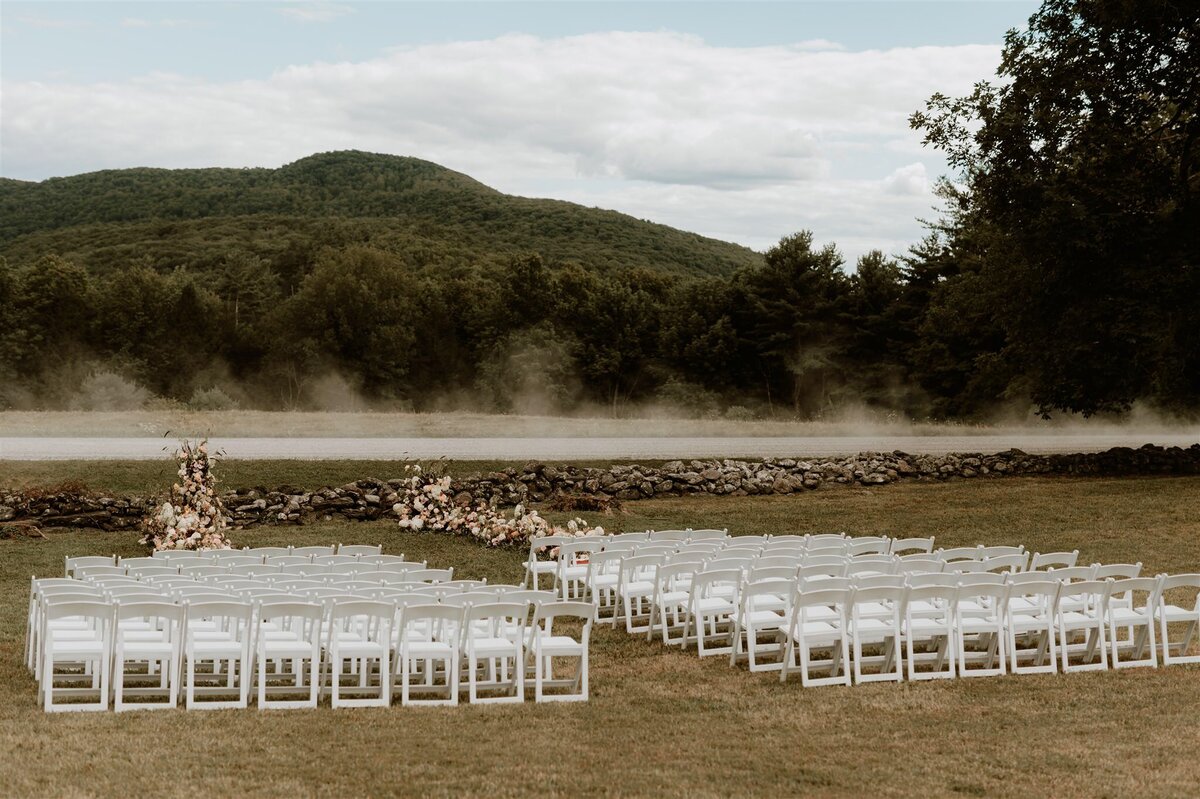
(189, 218)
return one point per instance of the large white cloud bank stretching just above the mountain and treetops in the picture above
(746, 145)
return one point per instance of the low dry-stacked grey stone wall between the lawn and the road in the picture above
(373, 498)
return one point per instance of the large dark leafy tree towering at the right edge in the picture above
(1076, 215)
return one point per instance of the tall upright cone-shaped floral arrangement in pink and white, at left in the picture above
(194, 518)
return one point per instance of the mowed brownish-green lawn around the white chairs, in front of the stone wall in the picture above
(663, 723)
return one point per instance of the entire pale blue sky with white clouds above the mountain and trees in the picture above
(740, 121)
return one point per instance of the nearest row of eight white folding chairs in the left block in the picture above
(107, 640)
